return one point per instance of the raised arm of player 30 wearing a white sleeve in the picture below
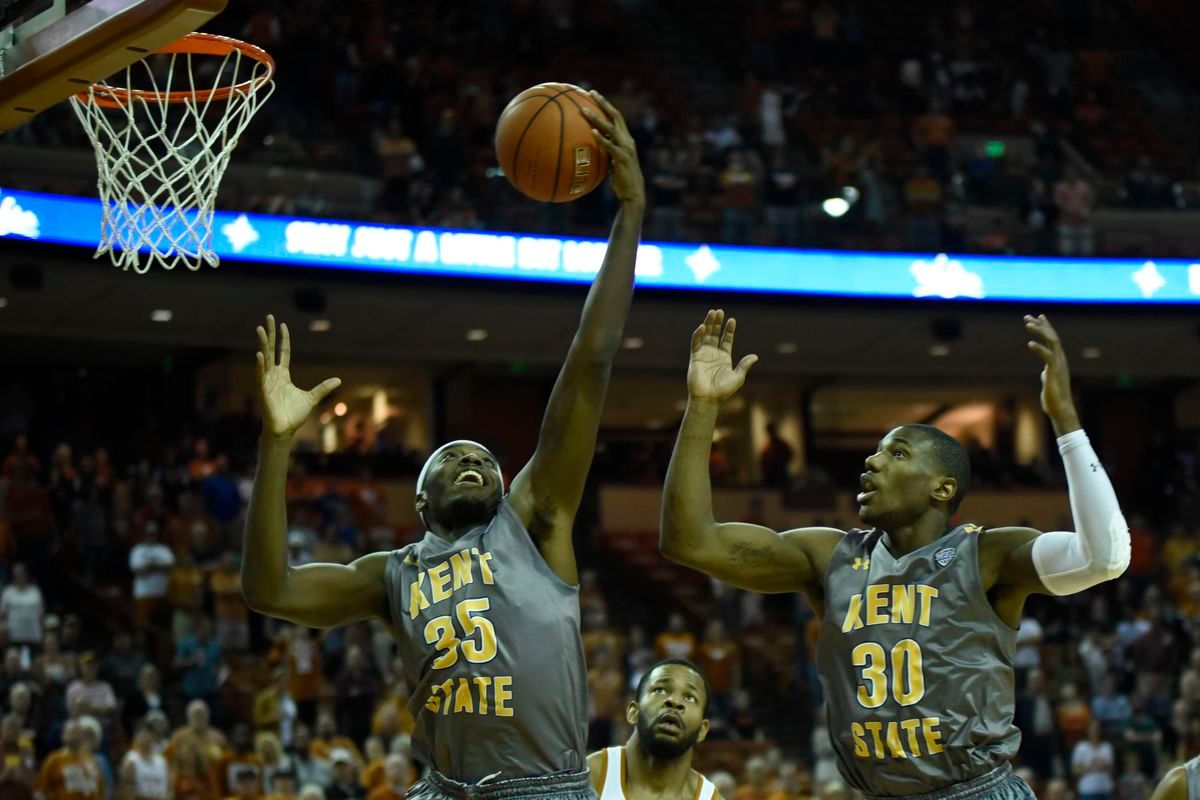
(1064, 563)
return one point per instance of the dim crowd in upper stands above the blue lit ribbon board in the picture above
(747, 118)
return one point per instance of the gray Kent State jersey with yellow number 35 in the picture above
(494, 659)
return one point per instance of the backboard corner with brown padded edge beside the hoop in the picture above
(50, 52)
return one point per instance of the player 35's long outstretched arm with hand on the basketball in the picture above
(548, 492)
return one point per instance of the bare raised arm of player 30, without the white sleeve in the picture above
(745, 556)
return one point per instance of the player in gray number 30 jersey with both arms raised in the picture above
(919, 618)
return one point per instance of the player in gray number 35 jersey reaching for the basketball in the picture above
(485, 606)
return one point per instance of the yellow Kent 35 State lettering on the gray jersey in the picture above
(436, 597)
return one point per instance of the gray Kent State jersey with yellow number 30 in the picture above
(917, 666)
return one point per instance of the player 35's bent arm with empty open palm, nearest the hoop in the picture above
(316, 596)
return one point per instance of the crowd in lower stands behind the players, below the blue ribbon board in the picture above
(131, 661)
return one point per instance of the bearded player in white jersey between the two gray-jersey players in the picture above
(670, 715)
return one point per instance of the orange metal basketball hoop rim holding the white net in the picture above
(193, 45)
